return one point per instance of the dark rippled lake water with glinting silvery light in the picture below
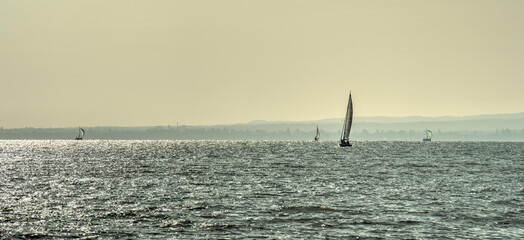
(261, 189)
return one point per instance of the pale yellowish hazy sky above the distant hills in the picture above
(140, 63)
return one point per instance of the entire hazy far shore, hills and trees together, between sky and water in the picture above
(495, 127)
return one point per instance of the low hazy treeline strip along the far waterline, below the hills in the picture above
(230, 133)
